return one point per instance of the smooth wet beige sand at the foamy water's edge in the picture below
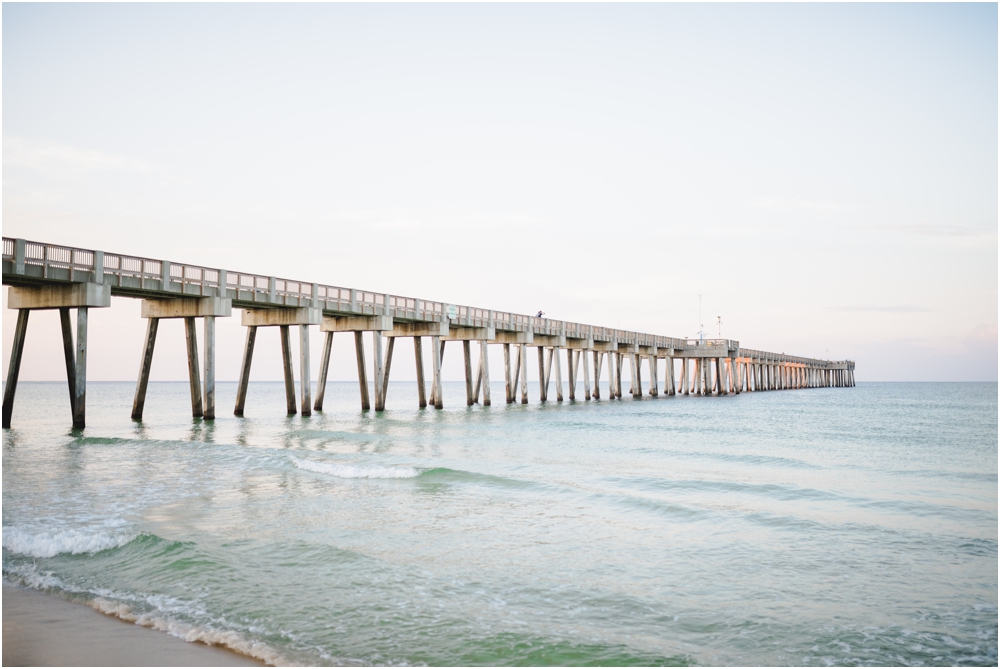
(44, 630)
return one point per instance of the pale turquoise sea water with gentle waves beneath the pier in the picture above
(814, 527)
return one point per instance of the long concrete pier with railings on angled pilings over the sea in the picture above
(49, 276)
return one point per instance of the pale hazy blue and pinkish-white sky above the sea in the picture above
(824, 175)
